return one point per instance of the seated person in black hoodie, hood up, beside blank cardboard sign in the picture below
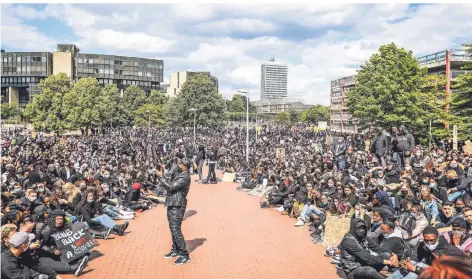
(356, 261)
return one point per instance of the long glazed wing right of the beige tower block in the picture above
(120, 70)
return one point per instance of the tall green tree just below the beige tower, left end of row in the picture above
(45, 111)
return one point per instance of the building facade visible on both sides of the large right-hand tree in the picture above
(447, 62)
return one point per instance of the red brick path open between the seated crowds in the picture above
(228, 236)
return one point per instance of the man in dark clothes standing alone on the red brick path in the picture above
(176, 202)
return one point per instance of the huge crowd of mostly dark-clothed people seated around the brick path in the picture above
(410, 206)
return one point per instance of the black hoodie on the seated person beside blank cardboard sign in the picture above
(354, 252)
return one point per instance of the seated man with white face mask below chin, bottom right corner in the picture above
(432, 247)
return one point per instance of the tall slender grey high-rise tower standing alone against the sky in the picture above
(273, 80)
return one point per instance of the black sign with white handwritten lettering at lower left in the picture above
(73, 243)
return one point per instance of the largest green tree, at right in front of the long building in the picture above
(388, 91)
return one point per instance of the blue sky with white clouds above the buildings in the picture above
(318, 42)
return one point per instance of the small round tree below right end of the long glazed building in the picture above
(133, 98)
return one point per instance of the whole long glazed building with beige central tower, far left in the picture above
(22, 71)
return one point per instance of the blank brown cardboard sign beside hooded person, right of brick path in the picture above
(335, 229)
